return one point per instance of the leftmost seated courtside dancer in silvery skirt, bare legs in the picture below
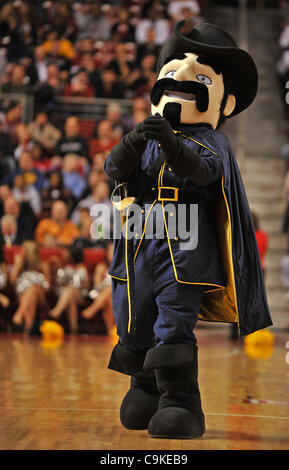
(31, 278)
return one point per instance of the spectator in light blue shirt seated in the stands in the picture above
(71, 178)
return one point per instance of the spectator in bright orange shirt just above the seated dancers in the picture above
(58, 229)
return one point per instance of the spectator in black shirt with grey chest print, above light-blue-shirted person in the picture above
(71, 142)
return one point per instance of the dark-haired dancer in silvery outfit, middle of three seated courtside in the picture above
(72, 280)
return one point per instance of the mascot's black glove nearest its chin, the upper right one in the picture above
(158, 128)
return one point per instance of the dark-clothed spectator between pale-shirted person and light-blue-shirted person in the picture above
(54, 191)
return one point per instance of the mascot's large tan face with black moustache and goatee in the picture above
(190, 89)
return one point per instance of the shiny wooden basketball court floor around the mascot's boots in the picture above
(66, 399)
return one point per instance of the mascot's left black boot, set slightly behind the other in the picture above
(142, 399)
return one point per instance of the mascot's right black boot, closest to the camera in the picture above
(180, 414)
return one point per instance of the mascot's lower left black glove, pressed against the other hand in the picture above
(127, 153)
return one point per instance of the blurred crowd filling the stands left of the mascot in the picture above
(51, 172)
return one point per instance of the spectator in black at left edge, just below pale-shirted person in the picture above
(26, 220)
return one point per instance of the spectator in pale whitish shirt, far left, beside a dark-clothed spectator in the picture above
(27, 192)
